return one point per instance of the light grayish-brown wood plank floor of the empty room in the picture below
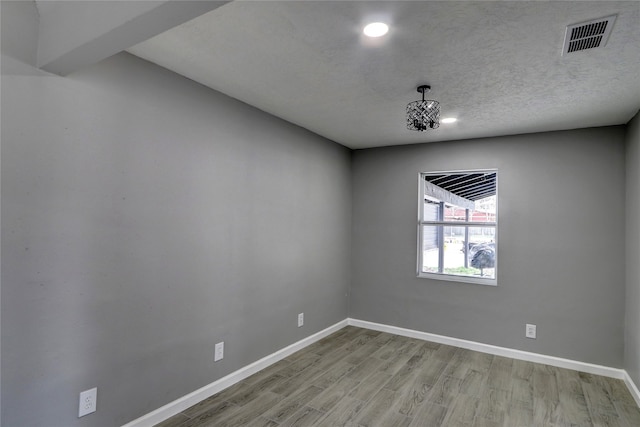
(358, 377)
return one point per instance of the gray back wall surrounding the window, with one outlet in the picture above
(561, 251)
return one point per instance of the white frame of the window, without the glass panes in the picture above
(421, 222)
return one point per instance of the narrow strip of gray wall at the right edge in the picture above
(632, 321)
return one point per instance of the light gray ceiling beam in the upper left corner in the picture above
(74, 34)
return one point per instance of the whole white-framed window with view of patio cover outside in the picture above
(457, 226)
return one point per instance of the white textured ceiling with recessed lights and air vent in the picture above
(496, 66)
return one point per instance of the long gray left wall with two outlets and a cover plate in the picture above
(144, 219)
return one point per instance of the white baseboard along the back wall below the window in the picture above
(495, 350)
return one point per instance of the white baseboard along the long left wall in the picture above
(179, 405)
